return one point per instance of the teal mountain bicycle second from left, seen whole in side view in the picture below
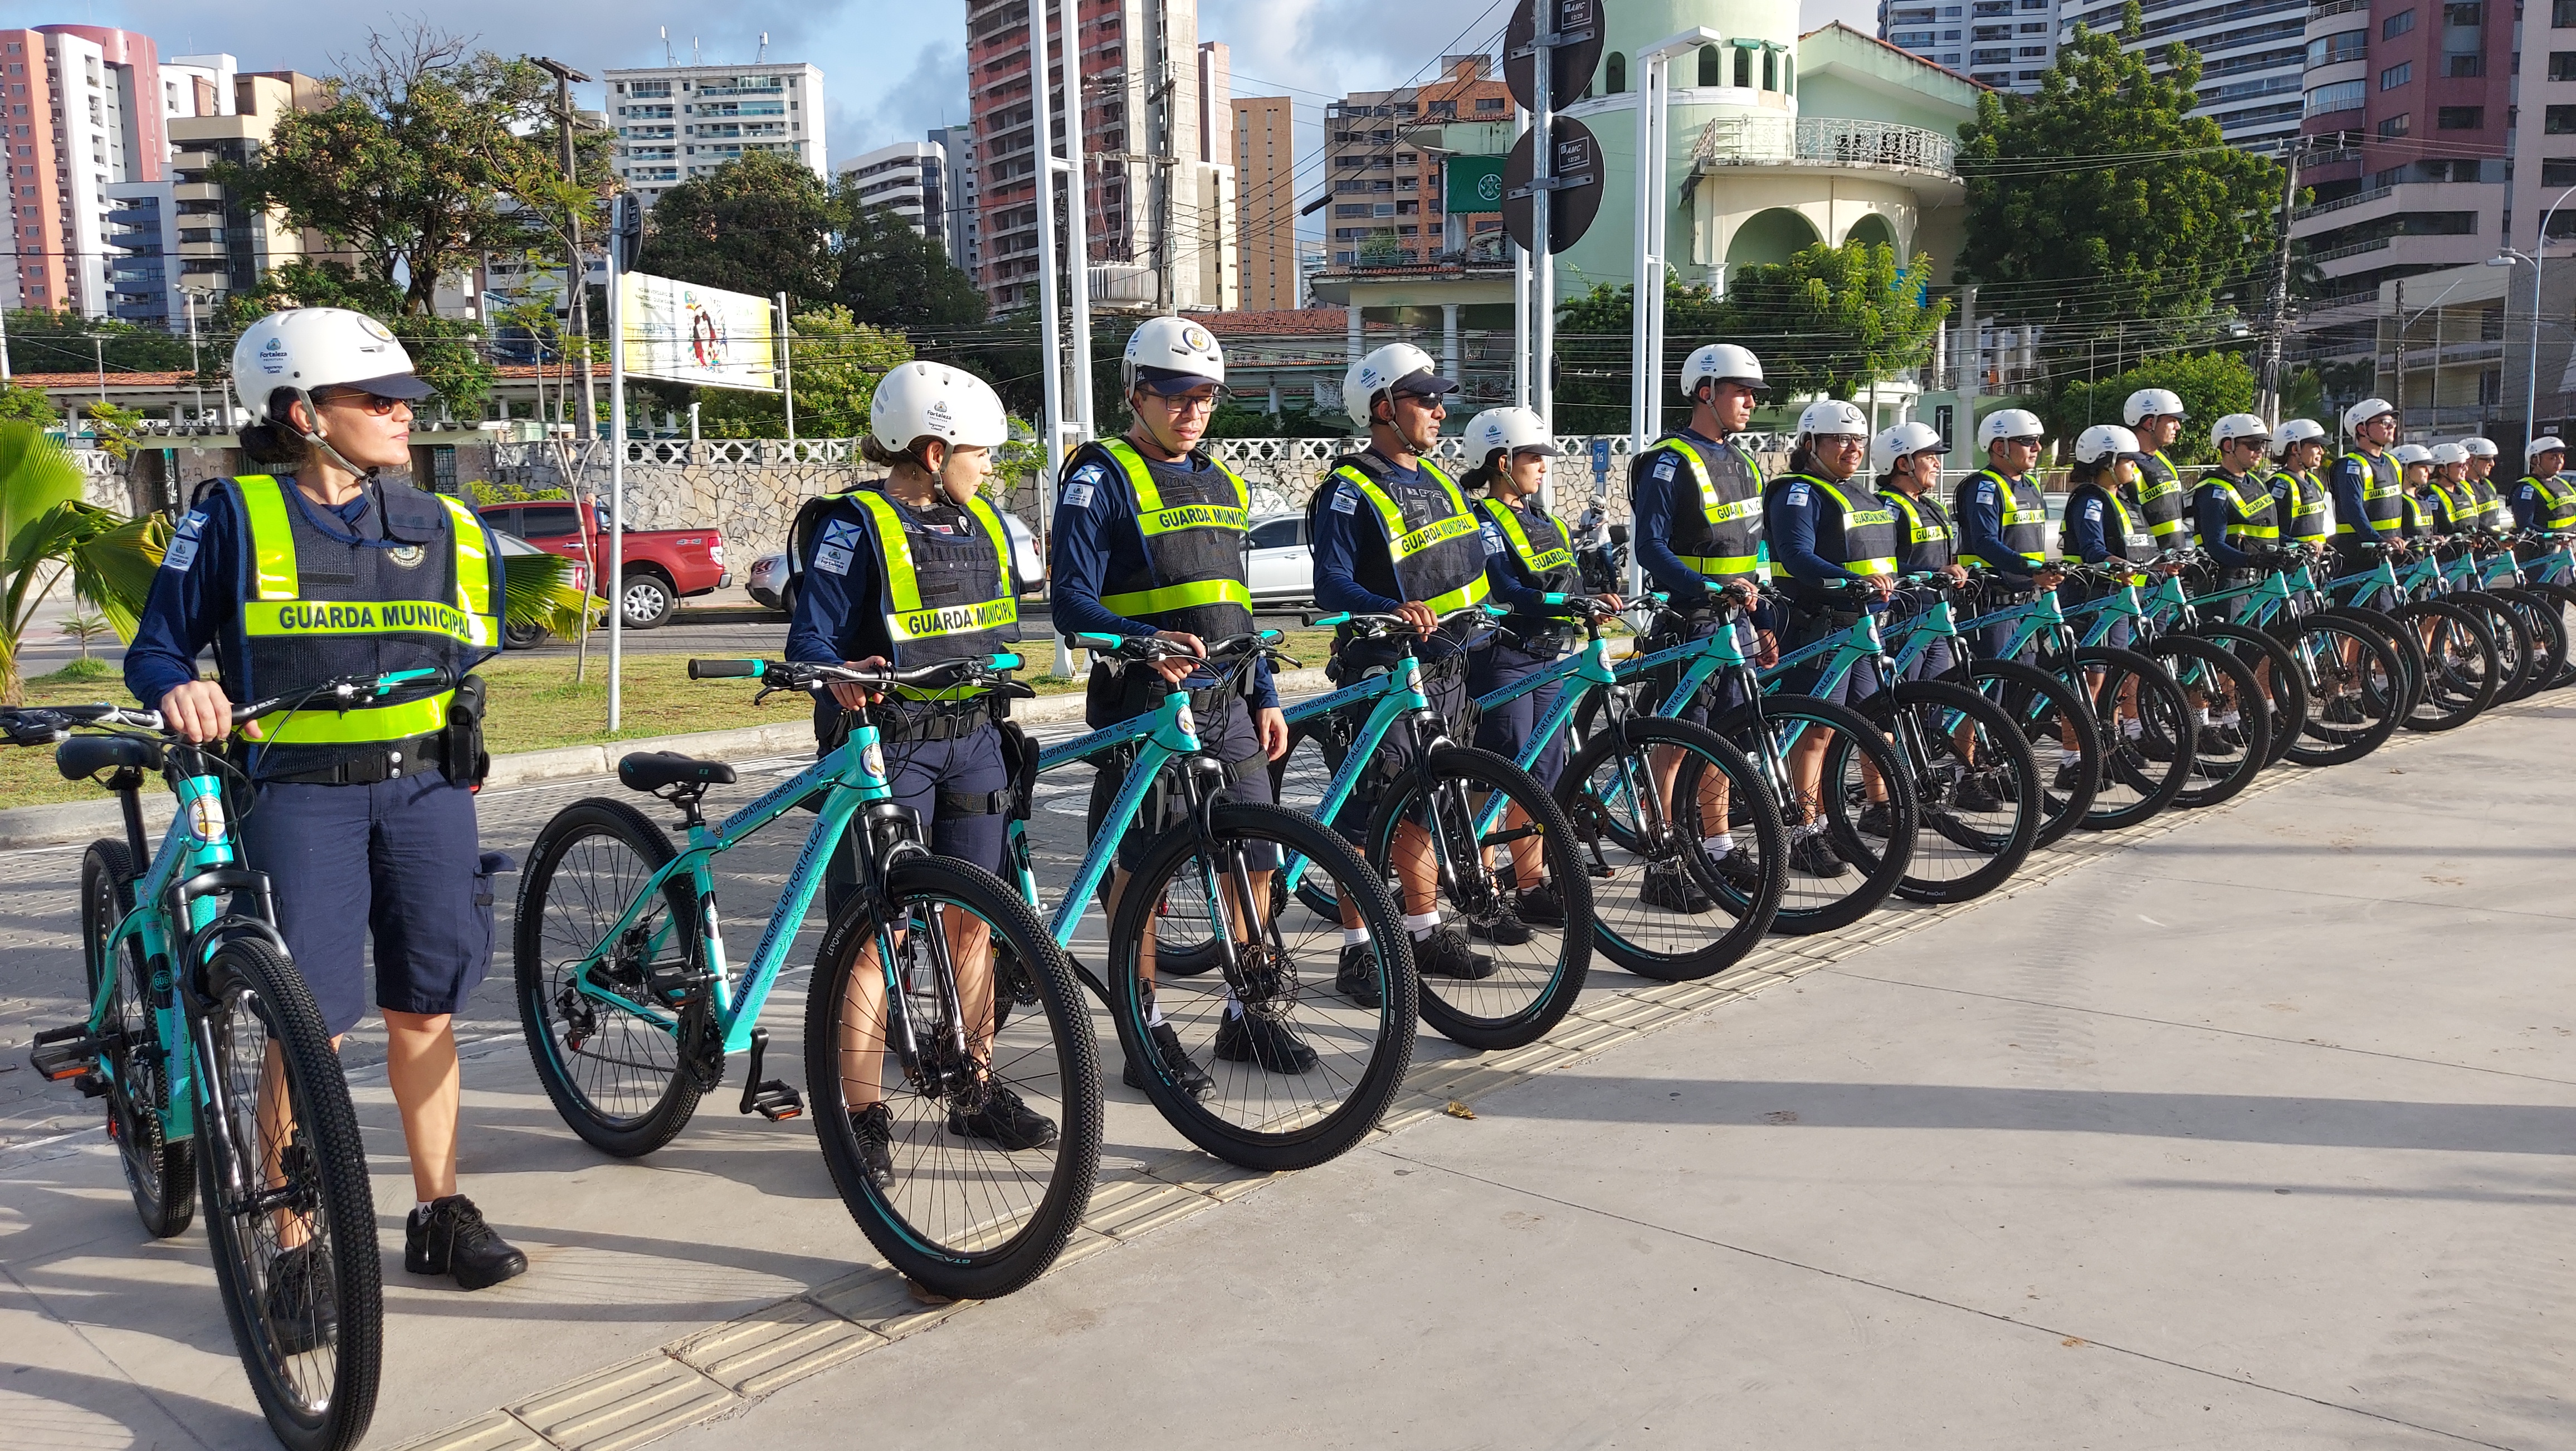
(949, 1061)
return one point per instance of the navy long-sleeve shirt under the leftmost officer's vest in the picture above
(197, 594)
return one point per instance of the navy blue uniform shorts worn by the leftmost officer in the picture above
(393, 865)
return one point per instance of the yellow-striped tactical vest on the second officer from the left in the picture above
(947, 594)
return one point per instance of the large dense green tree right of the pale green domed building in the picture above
(2165, 236)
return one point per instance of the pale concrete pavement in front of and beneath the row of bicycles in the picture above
(2253, 1133)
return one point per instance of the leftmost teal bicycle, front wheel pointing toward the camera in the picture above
(223, 1086)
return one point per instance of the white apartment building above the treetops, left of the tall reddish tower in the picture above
(681, 122)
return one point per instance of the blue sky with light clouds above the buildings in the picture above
(893, 68)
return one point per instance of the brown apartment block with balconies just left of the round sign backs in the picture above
(1385, 189)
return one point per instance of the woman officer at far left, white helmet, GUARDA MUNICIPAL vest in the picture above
(362, 818)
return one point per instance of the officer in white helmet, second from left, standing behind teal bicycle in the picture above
(885, 561)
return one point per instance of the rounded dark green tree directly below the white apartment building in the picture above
(759, 226)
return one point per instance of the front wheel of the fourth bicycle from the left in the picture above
(1475, 836)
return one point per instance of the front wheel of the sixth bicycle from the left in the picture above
(1864, 854)
